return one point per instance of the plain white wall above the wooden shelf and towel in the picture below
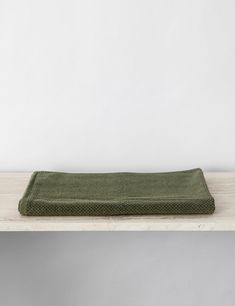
(117, 85)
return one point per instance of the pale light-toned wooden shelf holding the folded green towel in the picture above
(221, 186)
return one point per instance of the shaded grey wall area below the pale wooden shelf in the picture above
(118, 268)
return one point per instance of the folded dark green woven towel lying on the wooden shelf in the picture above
(110, 194)
